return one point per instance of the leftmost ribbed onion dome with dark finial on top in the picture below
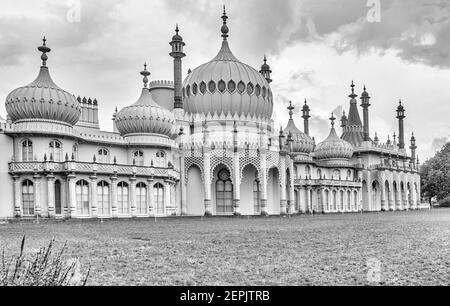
(43, 99)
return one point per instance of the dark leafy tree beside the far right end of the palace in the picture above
(435, 175)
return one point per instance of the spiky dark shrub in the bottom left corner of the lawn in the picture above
(41, 269)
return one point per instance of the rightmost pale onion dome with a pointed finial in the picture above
(334, 147)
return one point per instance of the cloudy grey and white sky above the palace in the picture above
(399, 49)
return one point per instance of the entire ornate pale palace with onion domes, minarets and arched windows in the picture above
(203, 146)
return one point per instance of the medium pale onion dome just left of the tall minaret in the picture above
(145, 116)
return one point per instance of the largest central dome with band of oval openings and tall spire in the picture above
(226, 85)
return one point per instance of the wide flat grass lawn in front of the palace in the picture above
(413, 248)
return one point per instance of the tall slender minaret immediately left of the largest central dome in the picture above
(177, 54)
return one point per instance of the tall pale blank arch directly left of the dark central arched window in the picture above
(195, 192)
